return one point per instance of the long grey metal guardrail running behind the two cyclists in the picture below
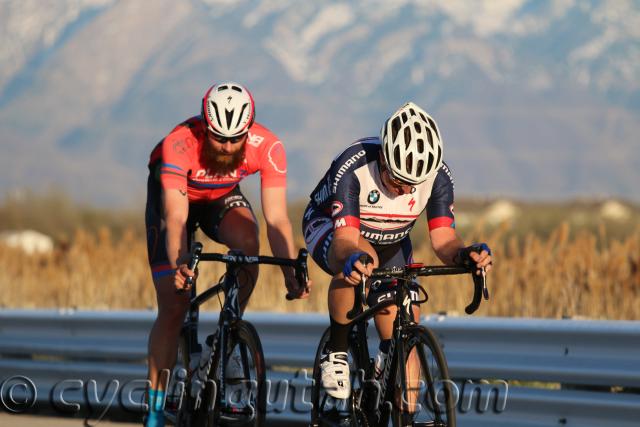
(586, 373)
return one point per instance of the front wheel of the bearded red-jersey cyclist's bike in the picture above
(214, 412)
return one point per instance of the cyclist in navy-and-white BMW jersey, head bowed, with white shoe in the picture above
(367, 203)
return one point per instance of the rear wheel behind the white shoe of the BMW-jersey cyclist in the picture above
(327, 411)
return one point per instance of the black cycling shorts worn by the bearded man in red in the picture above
(206, 216)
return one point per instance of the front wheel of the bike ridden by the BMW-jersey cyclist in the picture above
(428, 398)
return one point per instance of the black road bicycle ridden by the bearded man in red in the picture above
(200, 393)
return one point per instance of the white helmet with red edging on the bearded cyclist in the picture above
(228, 109)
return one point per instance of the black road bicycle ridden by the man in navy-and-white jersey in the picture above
(414, 388)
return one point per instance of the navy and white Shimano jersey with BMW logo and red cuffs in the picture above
(352, 194)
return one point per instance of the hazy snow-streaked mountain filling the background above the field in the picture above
(533, 98)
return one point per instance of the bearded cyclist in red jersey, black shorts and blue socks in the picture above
(193, 183)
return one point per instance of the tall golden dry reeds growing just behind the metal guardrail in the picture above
(569, 273)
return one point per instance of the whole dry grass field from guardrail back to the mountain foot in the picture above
(576, 260)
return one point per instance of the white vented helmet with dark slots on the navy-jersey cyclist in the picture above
(411, 144)
